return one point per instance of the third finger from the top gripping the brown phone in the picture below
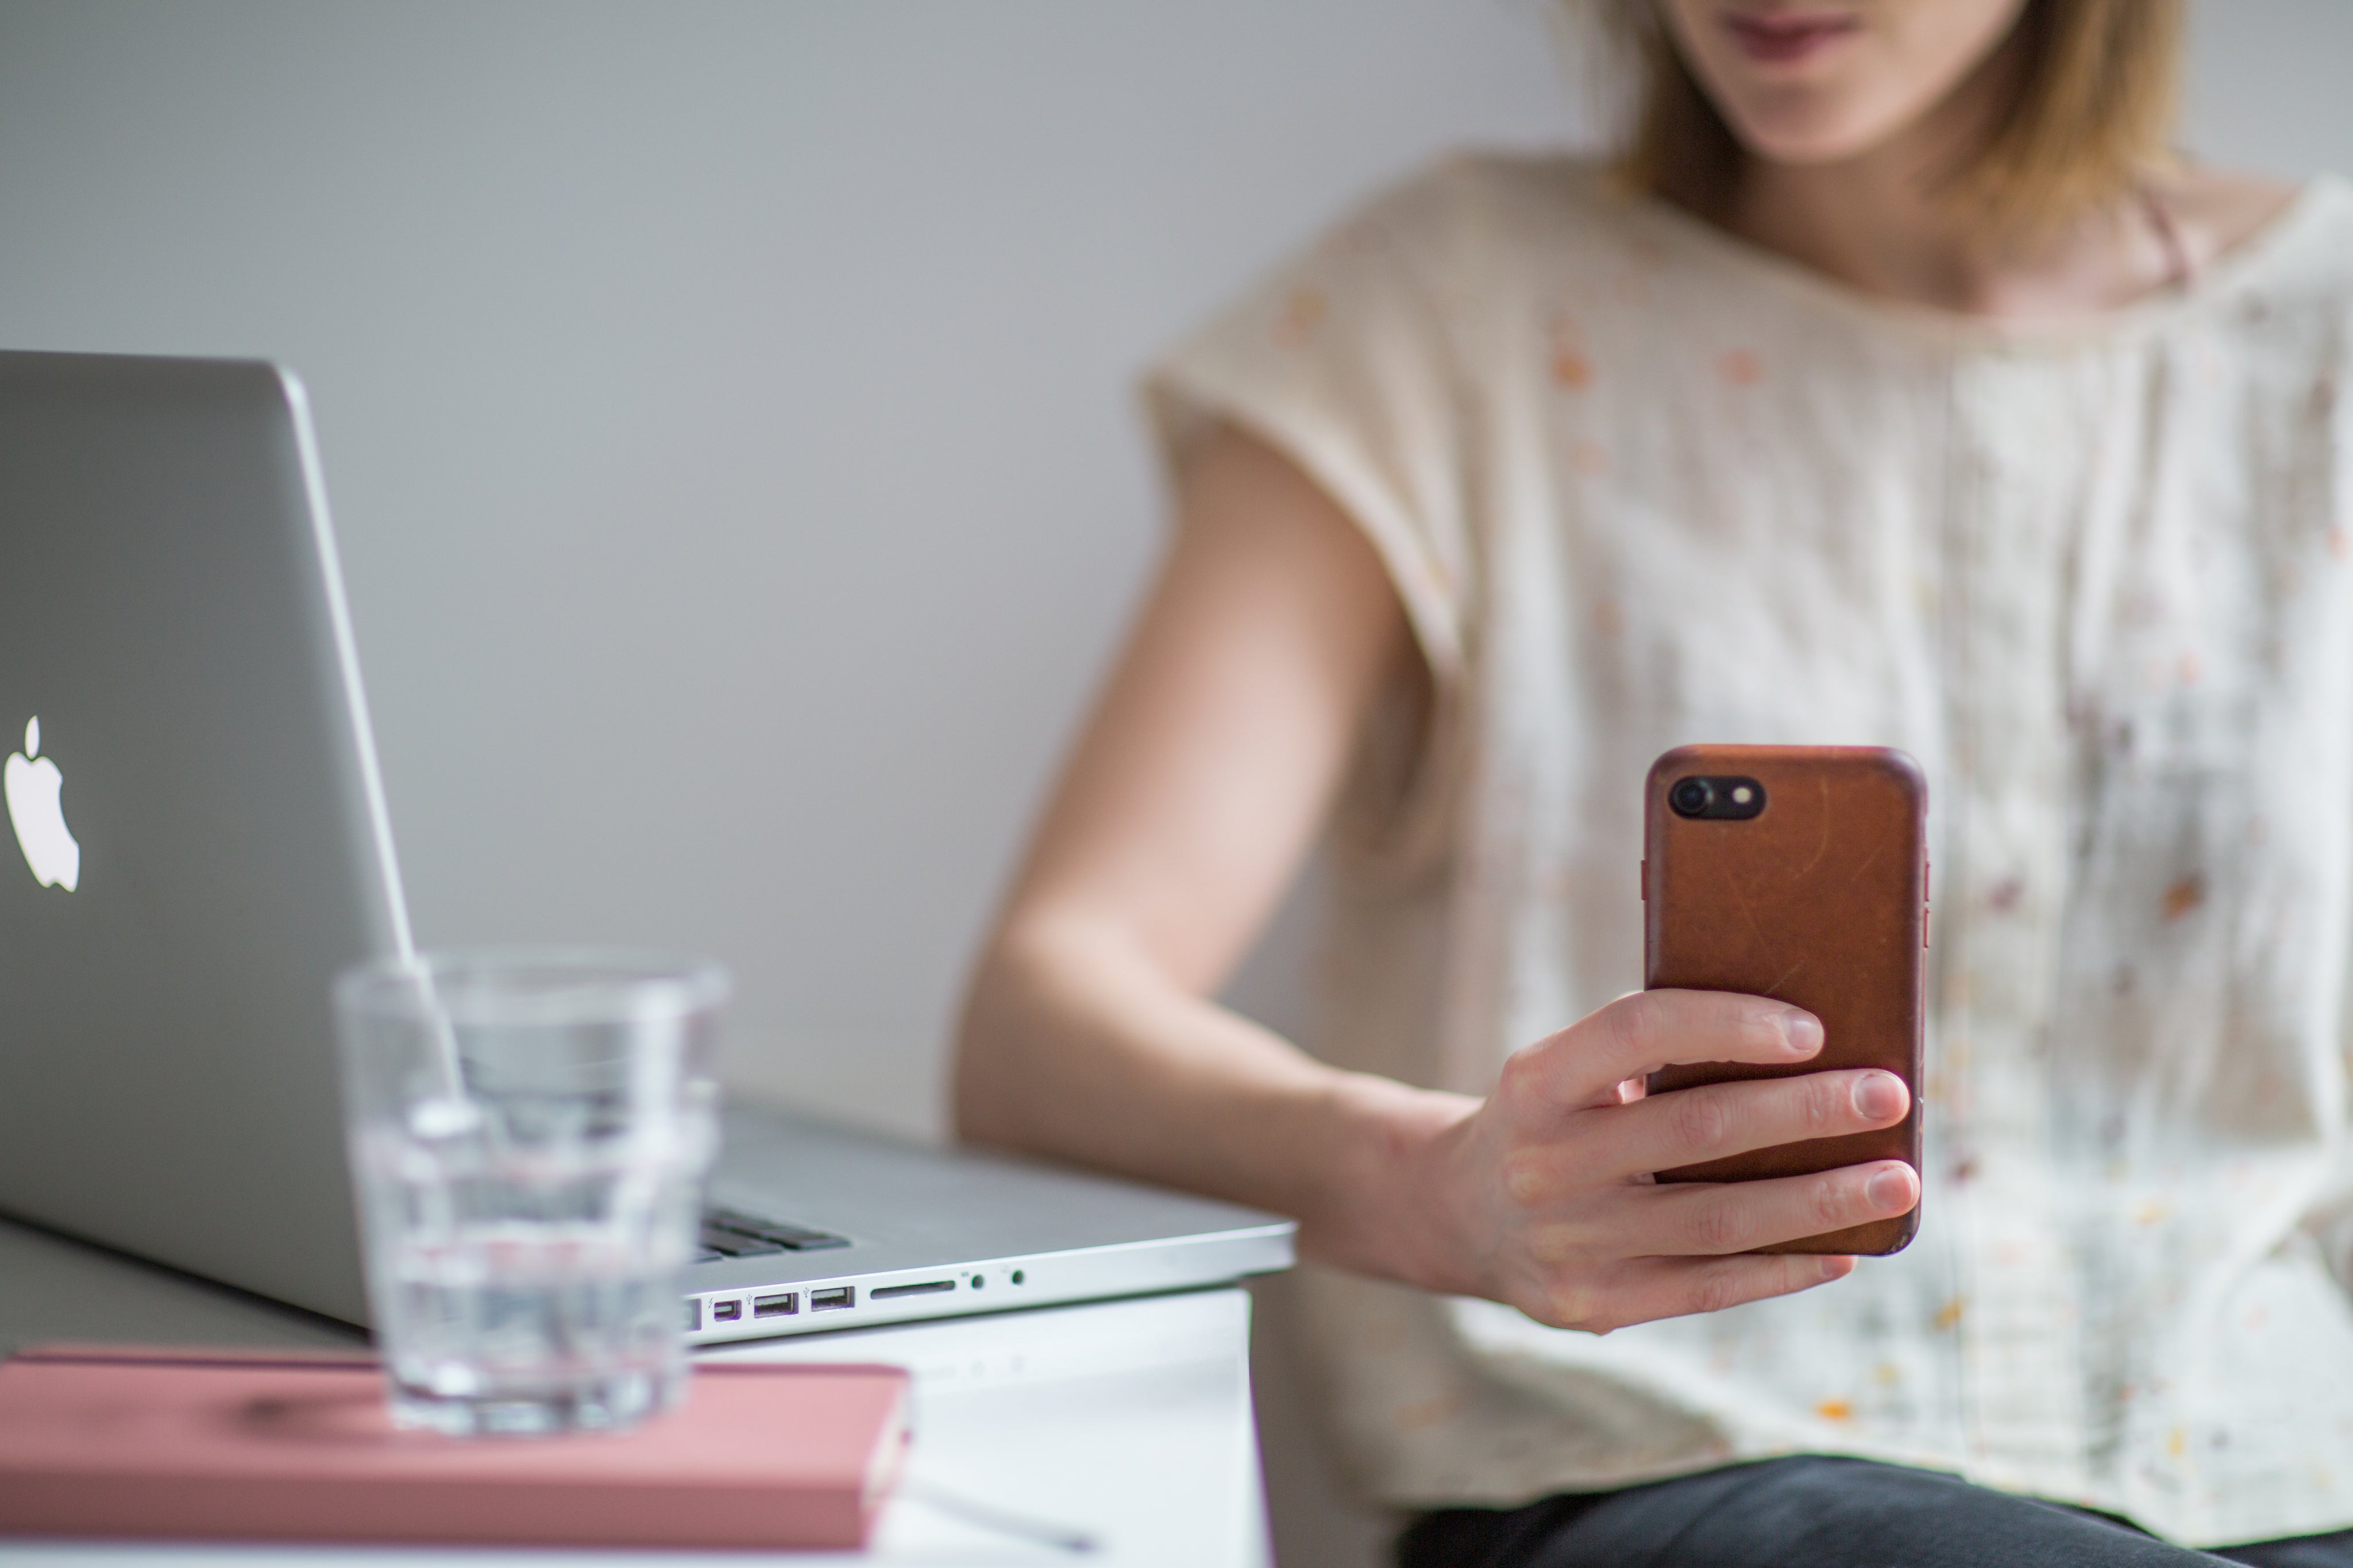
(1714, 1219)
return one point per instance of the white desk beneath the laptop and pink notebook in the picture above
(1119, 1421)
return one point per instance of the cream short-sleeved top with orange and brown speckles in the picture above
(1644, 485)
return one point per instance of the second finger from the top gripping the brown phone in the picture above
(1719, 1120)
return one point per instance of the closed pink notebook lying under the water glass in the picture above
(241, 1447)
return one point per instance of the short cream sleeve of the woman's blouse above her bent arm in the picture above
(1342, 363)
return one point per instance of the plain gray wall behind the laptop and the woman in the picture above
(726, 403)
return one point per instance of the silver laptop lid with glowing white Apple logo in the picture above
(199, 838)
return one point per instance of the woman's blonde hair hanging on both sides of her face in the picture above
(2091, 112)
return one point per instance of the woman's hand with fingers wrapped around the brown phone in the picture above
(1545, 1198)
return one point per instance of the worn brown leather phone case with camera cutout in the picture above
(1804, 876)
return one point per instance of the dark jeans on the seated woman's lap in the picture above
(1818, 1513)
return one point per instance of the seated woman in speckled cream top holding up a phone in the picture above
(1895, 389)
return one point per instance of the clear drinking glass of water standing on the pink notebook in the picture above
(528, 1137)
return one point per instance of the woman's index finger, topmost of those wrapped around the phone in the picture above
(1648, 1031)
